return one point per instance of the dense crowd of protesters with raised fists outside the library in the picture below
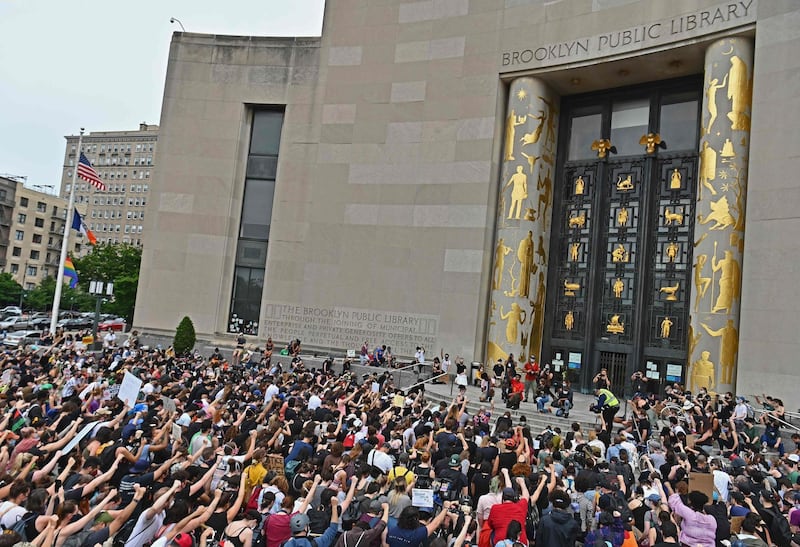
(250, 452)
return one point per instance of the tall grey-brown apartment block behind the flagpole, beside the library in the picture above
(125, 160)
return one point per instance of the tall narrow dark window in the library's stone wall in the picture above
(256, 218)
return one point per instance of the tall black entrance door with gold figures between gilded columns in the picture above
(621, 245)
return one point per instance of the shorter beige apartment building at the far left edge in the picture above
(31, 232)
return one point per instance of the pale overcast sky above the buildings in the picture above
(101, 65)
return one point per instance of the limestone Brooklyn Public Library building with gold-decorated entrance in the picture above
(598, 183)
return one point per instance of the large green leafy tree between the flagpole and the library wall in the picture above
(118, 264)
